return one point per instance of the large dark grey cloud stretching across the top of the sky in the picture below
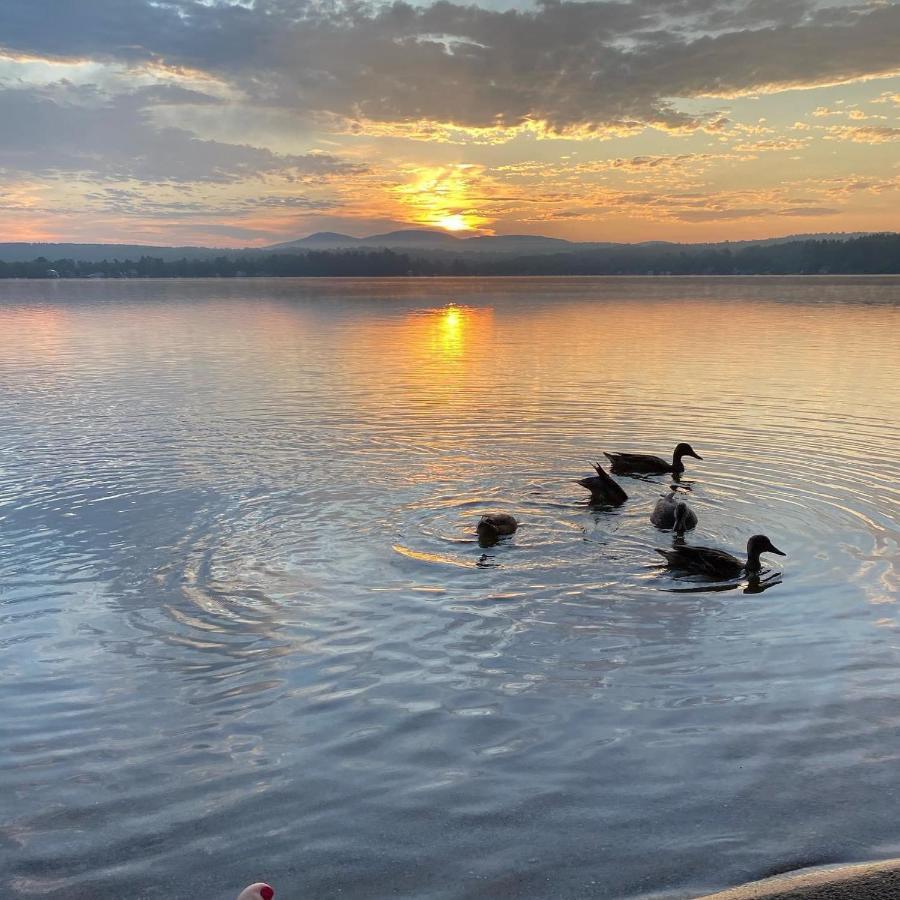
(571, 65)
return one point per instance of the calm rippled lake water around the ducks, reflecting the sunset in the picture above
(245, 631)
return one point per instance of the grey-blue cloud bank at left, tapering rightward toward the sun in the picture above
(62, 129)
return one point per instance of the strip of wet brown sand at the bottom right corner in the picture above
(865, 881)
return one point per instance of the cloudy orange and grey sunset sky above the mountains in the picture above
(245, 123)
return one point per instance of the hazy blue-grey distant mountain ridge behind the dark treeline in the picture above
(407, 241)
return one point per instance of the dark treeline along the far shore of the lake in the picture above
(870, 255)
